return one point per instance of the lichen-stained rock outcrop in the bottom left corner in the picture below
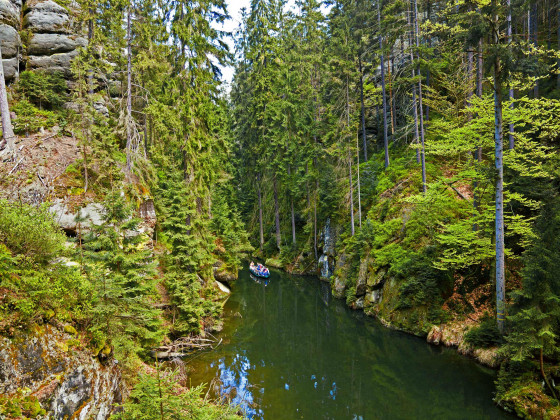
(67, 381)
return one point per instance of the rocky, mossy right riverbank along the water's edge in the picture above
(378, 296)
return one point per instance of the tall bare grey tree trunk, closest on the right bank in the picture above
(498, 150)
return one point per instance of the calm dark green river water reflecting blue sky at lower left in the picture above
(292, 351)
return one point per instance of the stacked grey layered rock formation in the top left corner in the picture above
(38, 35)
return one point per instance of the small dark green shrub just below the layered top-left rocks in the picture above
(42, 89)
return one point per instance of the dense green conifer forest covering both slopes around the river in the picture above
(406, 152)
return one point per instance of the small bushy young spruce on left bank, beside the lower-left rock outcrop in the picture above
(123, 271)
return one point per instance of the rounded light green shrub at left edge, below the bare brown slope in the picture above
(30, 231)
